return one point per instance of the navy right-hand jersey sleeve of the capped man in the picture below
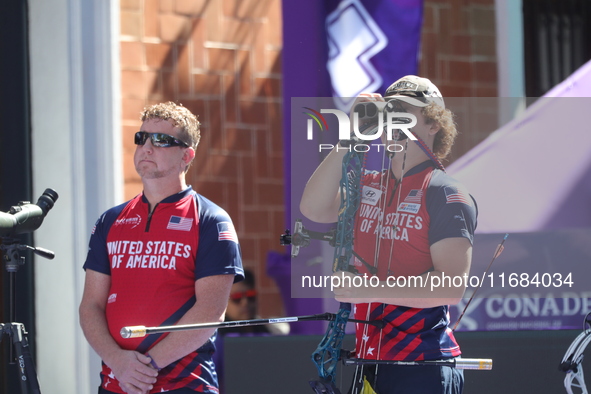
(452, 211)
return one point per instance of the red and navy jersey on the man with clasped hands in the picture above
(154, 260)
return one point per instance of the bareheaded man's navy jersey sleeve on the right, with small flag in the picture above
(218, 252)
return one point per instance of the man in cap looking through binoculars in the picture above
(418, 223)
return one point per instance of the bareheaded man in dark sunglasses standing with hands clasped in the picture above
(168, 256)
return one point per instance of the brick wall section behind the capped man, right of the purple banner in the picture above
(458, 54)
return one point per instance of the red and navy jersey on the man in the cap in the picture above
(396, 225)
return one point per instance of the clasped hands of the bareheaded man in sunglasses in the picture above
(134, 372)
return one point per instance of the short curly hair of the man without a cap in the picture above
(180, 116)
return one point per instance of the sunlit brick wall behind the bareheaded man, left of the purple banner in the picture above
(220, 59)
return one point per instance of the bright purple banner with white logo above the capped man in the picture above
(371, 44)
